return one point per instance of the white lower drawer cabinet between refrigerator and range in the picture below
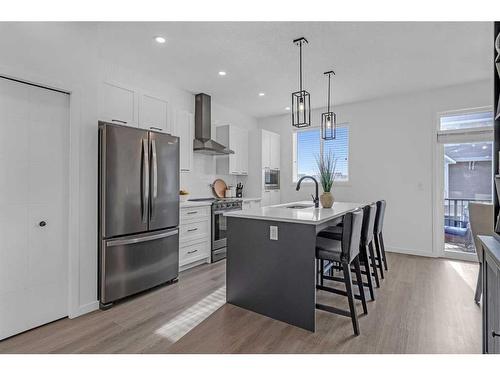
(194, 236)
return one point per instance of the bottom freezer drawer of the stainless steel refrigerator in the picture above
(131, 264)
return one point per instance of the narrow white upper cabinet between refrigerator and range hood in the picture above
(184, 129)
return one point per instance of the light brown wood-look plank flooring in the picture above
(424, 305)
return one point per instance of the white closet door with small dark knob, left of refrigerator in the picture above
(33, 189)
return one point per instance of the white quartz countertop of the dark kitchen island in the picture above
(309, 215)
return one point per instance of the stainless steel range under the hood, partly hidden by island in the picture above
(219, 224)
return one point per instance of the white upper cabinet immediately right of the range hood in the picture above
(235, 139)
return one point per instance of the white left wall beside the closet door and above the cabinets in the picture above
(66, 56)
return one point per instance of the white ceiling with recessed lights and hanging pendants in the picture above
(371, 59)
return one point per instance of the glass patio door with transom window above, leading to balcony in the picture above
(463, 175)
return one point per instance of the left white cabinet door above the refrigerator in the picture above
(117, 104)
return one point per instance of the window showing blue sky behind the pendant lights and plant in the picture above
(308, 145)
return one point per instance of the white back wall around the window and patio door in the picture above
(392, 141)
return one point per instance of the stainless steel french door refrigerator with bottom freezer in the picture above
(138, 210)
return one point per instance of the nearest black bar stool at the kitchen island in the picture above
(345, 252)
